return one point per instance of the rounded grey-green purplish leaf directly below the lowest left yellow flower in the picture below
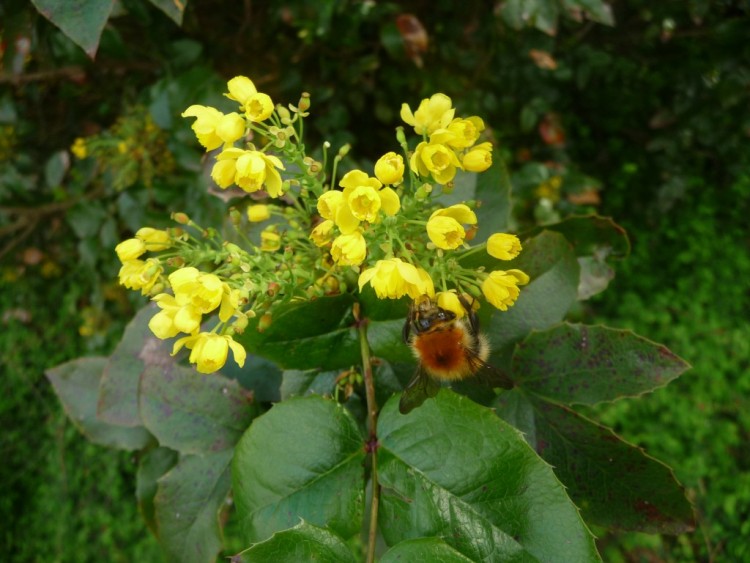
(192, 412)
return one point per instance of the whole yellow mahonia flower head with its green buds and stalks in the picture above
(383, 228)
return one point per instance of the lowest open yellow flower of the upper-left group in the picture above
(251, 170)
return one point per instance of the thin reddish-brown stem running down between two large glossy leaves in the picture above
(372, 440)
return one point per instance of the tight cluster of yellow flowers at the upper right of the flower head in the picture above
(449, 143)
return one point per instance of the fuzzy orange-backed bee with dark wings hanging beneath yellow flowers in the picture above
(447, 347)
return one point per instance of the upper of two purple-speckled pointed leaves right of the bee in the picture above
(579, 364)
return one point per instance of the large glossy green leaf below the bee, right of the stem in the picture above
(453, 470)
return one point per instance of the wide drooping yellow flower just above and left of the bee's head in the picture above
(393, 278)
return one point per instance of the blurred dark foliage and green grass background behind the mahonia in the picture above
(636, 110)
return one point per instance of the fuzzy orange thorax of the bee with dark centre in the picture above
(443, 353)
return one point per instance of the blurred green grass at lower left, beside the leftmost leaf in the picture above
(64, 499)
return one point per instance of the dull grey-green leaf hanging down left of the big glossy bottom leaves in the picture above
(188, 501)
